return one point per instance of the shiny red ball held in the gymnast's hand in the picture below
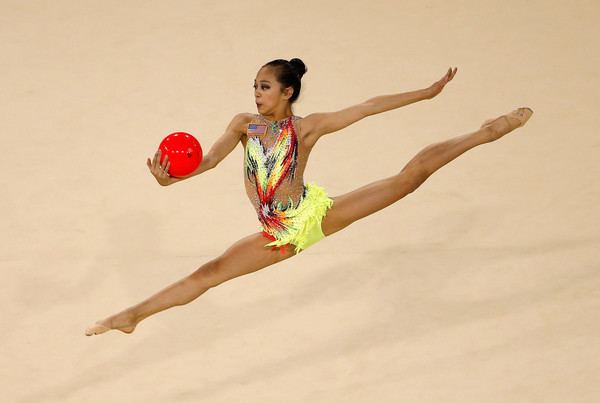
(184, 151)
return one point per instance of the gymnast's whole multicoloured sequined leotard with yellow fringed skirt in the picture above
(290, 211)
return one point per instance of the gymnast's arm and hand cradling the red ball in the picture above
(220, 149)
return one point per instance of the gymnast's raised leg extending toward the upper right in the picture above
(375, 196)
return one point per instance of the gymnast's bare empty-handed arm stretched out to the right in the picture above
(318, 124)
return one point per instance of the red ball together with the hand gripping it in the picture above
(182, 155)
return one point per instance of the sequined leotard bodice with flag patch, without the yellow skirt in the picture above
(274, 162)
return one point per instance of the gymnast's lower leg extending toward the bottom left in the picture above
(245, 256)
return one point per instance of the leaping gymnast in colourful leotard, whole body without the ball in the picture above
(295, 215)
